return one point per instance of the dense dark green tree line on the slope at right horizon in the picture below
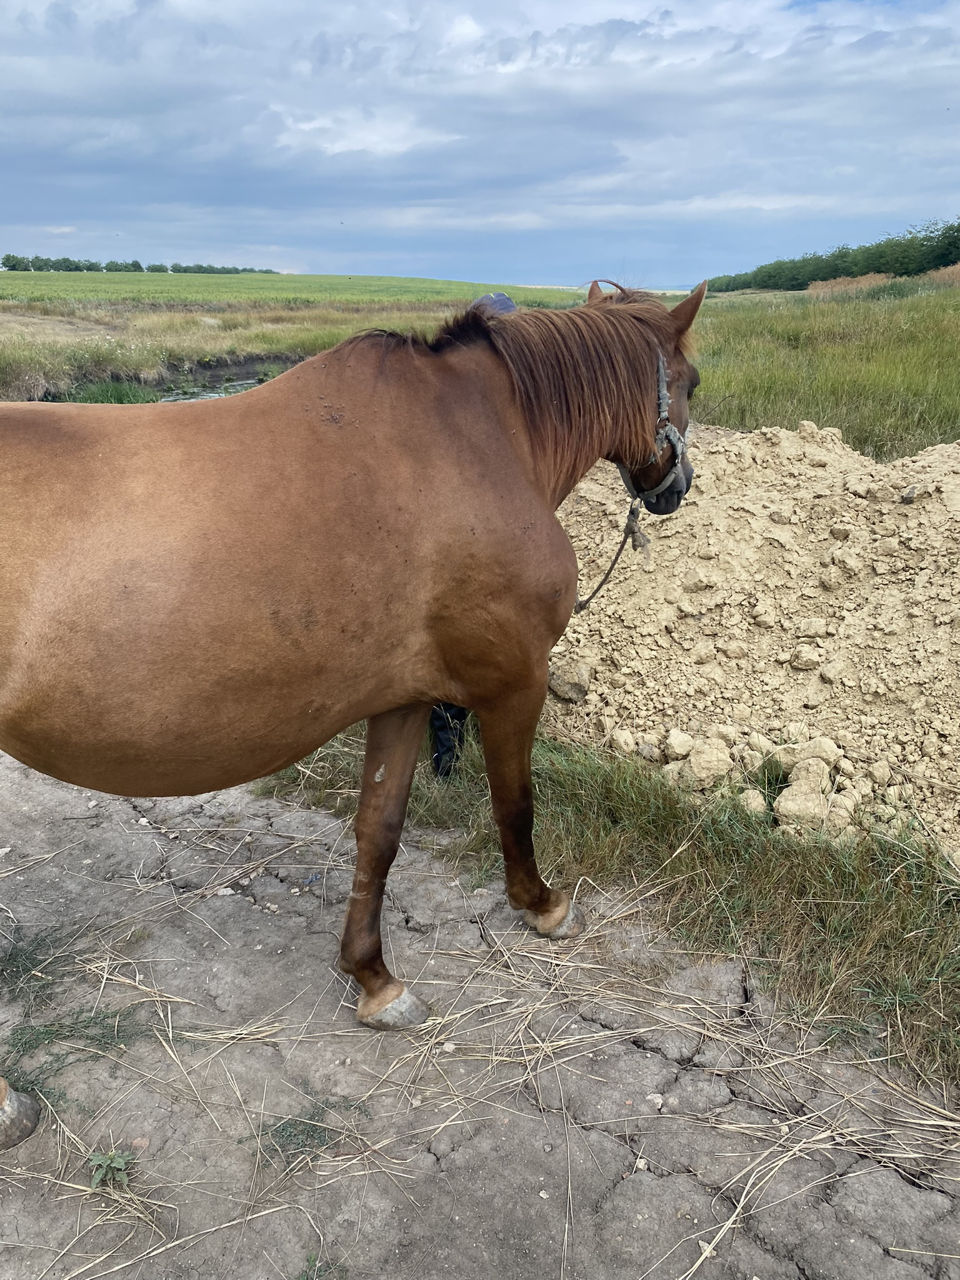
(921, 249)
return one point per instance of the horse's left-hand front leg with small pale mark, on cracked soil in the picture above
(392, 746)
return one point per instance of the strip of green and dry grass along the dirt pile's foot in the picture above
(866, 932)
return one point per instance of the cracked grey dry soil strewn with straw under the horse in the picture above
(604, 1108)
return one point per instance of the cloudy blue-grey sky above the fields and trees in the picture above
(504, 141)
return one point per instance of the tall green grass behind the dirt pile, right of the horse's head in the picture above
(883, 371)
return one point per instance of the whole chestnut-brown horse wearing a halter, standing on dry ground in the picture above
(194, 596)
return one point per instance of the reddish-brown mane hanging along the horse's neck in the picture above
(586, 378)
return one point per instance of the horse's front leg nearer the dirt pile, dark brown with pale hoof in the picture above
(508, 730)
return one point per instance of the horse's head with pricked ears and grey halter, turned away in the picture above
(664, 479)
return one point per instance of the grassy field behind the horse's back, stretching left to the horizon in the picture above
(63, 331)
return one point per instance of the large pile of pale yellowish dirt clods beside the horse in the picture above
(804, 604)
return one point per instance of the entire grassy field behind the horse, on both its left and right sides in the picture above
(883, 369)
